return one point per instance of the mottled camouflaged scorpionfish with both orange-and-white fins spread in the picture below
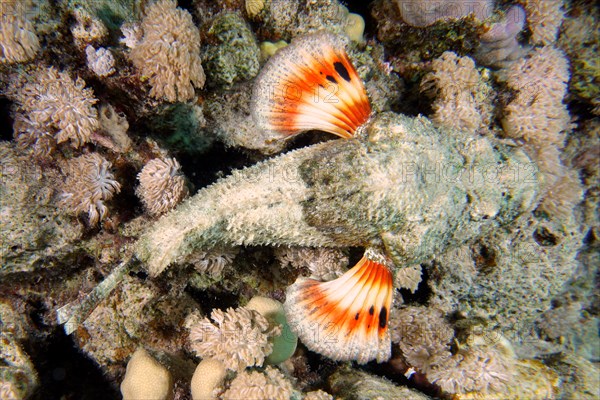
(397, 186)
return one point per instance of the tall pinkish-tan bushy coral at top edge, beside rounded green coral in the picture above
(169, 52)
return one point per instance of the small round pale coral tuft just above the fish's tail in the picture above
(162, 185)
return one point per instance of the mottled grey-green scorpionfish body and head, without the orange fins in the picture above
(402, 185)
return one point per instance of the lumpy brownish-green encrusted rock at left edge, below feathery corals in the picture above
(35, 234)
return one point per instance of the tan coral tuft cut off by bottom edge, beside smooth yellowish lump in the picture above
(255, 385)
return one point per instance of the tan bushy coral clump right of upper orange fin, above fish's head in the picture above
(463, 98)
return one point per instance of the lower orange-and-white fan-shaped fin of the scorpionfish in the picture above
(347, 318)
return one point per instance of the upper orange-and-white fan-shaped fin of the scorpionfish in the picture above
(310, 84)
